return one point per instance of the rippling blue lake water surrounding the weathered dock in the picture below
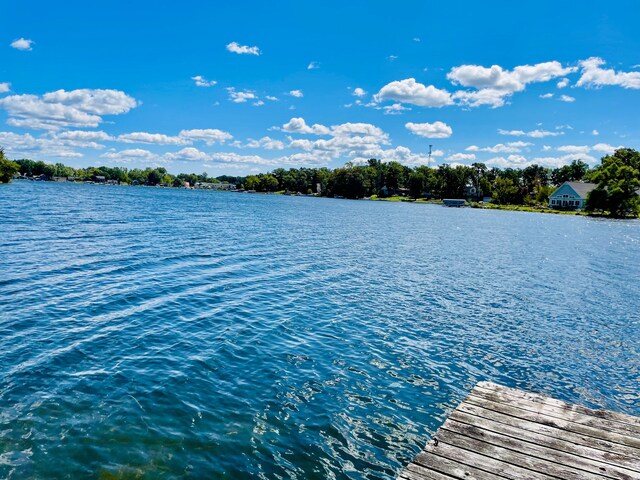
(161, 333)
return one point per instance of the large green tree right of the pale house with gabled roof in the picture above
(618, 179)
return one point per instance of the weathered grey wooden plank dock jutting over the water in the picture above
(498, 432)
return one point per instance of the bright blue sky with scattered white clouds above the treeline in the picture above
(240, 88)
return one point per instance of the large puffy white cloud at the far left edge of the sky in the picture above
(76, 108)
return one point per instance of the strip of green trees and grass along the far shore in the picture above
(526, 189)
